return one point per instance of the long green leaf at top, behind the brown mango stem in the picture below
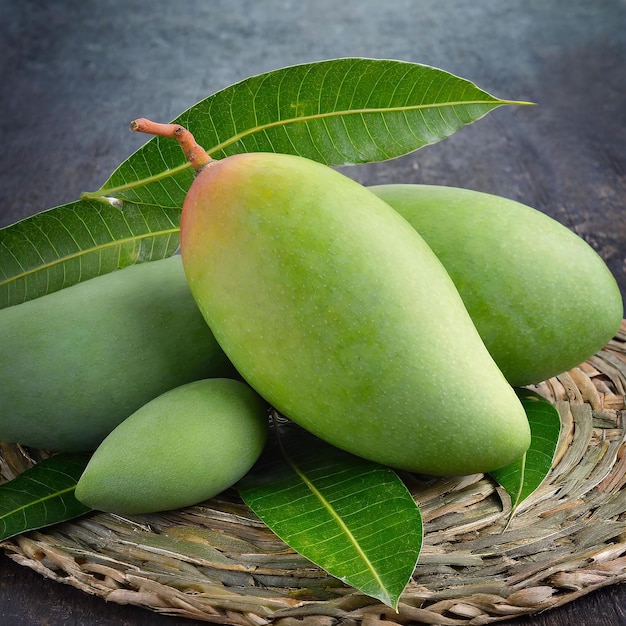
(338, 112)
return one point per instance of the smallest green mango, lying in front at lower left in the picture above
(183, 447)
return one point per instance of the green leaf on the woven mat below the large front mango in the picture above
(351, 517)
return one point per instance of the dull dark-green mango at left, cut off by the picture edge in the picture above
(77, 362)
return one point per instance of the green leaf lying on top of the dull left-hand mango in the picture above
(74, 242)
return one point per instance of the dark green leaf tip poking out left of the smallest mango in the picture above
(43, 495)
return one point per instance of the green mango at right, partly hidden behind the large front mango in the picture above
(541, 298)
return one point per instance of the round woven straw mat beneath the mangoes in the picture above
(218, 563)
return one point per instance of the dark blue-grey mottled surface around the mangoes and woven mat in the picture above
(74, 74)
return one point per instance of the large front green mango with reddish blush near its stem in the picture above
(332, 307)
